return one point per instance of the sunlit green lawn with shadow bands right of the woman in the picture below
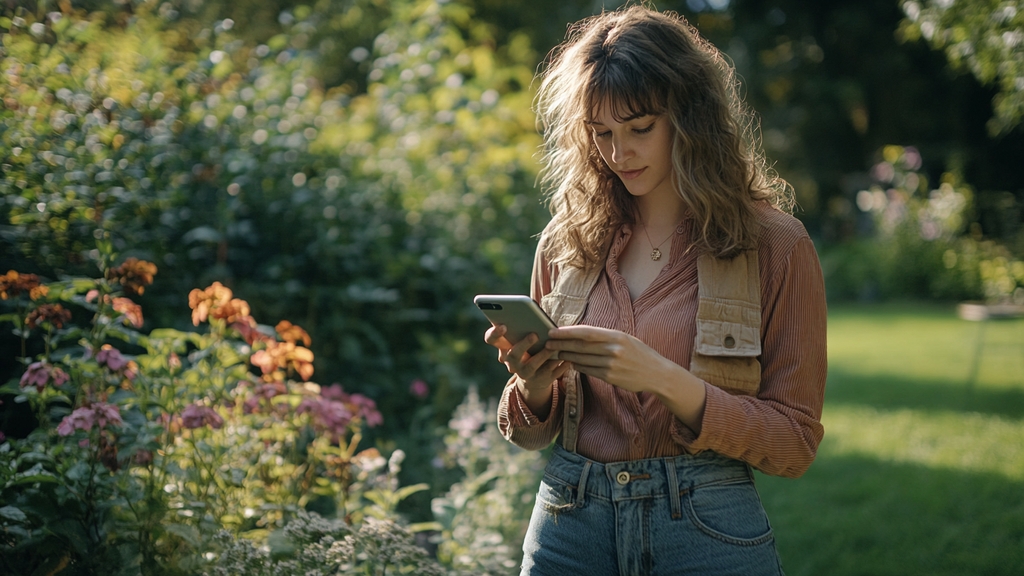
(919, 473)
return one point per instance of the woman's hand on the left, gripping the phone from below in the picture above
(535, 375)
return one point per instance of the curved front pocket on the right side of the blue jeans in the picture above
(731, 512)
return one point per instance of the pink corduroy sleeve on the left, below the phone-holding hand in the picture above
(516, 421)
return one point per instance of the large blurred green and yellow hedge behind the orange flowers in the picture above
(369, 219)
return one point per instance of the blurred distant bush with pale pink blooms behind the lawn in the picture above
(918, 250)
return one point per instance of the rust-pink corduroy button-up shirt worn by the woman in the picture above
(778, 432)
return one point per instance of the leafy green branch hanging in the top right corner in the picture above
(986, 37)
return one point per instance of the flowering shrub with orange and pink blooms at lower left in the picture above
(148, 445)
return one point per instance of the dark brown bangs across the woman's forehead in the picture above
(629, 93)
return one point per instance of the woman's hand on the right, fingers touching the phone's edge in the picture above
(613, 356)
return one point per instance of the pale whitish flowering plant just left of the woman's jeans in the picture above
(486, 515)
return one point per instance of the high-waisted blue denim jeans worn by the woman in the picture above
(688, 515)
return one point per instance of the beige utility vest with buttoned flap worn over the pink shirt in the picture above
(729, 322)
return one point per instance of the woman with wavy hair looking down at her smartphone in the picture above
(692, 340)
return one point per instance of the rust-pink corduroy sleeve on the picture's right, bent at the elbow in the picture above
(779, 431)
